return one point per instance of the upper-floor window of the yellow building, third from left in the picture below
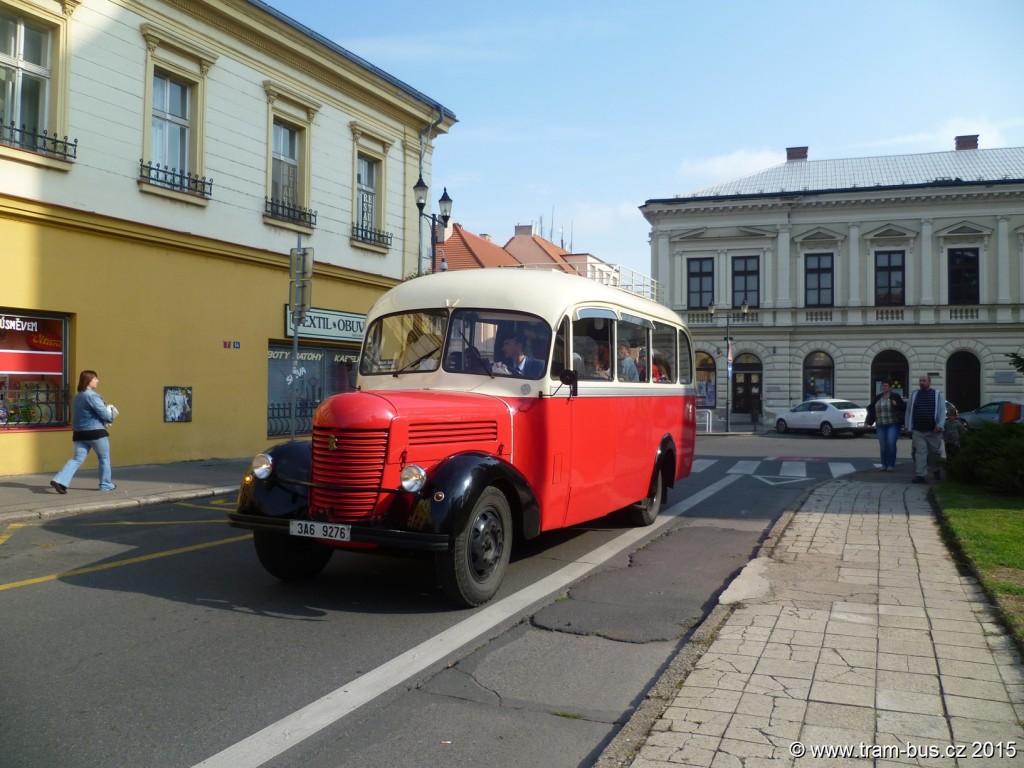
(289, 158)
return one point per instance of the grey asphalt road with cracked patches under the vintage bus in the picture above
(154, 638)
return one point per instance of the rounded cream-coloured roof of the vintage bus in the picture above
(545, 293)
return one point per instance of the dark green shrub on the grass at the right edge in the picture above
(992, 456)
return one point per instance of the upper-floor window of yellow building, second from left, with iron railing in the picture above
(173, 161)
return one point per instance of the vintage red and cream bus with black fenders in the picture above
(491, 405)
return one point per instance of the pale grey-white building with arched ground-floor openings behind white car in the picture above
(852, 271)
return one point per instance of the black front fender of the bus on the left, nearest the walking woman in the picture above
(286, 492)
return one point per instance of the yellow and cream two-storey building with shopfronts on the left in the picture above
(158, 163)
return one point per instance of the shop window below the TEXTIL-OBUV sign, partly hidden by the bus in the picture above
(320, 373)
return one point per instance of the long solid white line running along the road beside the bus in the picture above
(289, 732)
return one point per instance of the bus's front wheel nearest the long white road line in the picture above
(473, 570)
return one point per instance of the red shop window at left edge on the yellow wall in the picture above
(33, 369)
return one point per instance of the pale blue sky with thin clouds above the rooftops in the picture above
(573, 114)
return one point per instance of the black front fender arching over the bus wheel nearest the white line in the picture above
(456, 484)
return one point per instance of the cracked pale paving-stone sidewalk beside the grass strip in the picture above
(856, 632)
